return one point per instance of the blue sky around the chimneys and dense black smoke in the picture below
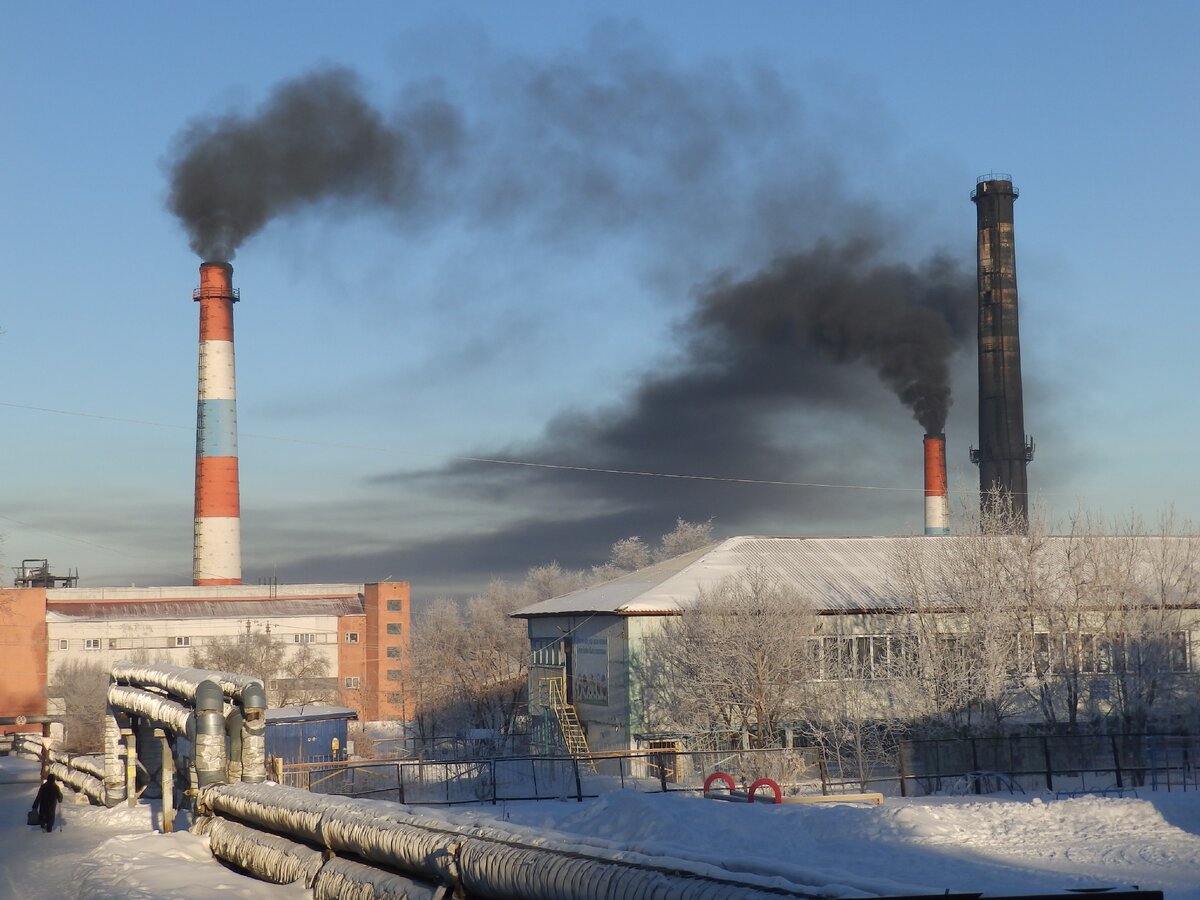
(376, 351)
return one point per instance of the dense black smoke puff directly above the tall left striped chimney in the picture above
(316, 140)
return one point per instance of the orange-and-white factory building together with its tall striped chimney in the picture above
(358, 633)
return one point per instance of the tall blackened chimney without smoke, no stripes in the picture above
(1005, 449)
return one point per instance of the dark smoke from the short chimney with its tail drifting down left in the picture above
(793, 340)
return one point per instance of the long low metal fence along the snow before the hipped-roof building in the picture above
(1066, 765)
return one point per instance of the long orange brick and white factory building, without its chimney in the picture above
(361, 632)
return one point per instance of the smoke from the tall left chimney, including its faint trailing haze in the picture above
(611, 140)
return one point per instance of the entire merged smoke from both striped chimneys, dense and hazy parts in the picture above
(706, 169)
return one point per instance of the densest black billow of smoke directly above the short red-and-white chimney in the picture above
(843, 303)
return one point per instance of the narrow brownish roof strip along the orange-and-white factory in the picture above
(201, 609)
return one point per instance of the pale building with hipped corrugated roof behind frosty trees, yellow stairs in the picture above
(589, 647)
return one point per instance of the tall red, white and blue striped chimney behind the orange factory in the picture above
(217, 556)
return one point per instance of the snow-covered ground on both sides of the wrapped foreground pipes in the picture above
(929, 845)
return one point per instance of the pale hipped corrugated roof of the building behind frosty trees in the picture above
(837, 574)
